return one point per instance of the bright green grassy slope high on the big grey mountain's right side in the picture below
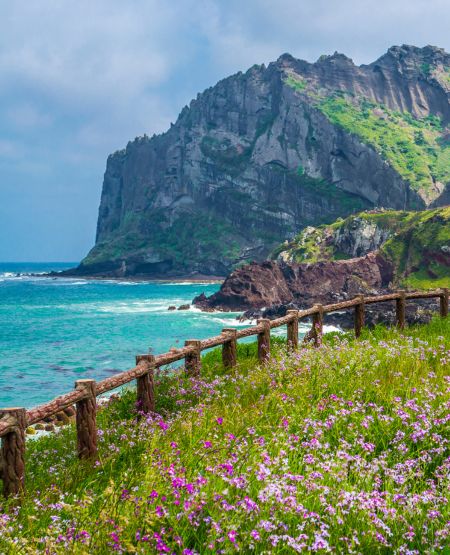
(418, 149)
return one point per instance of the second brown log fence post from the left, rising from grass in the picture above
(86, 420)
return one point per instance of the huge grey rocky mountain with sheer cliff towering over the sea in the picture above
(261, 155)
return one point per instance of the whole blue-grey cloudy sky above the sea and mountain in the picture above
(79, 78)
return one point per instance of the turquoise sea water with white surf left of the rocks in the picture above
(55, 331)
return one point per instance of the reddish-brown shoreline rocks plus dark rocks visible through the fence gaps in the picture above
(269, 289)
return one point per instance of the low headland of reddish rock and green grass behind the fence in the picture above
(391, 248)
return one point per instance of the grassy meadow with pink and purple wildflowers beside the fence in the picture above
(338, 449)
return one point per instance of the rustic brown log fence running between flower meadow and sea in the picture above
(14, 421)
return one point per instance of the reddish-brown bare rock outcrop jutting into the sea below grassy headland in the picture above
(267, 284)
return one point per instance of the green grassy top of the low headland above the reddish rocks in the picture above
(417, 243)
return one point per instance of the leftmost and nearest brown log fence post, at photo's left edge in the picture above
(13, 453)
